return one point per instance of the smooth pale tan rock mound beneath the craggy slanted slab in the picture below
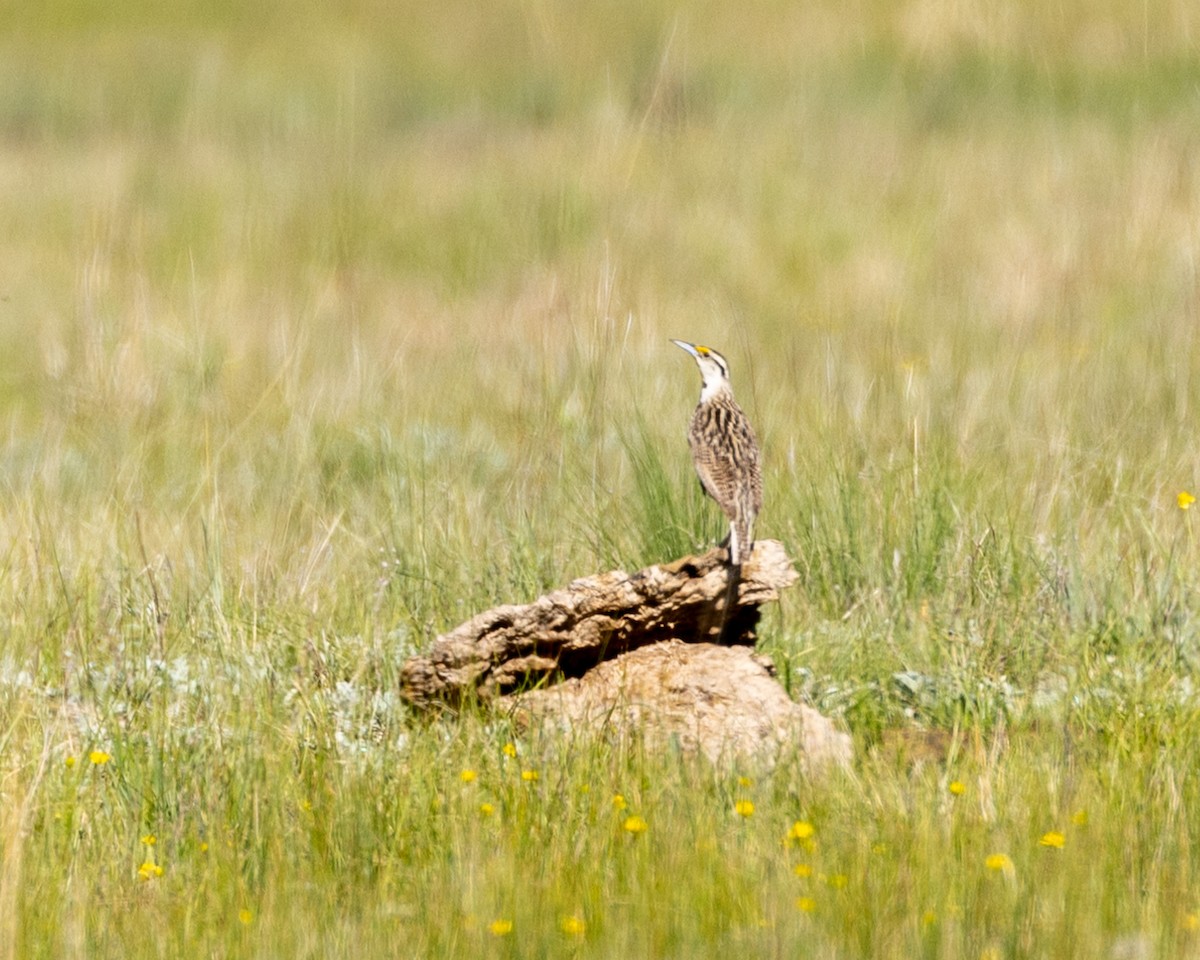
(722, 703)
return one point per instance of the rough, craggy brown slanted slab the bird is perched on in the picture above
(569, 632)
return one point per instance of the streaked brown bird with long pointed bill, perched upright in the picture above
(725, 452)
